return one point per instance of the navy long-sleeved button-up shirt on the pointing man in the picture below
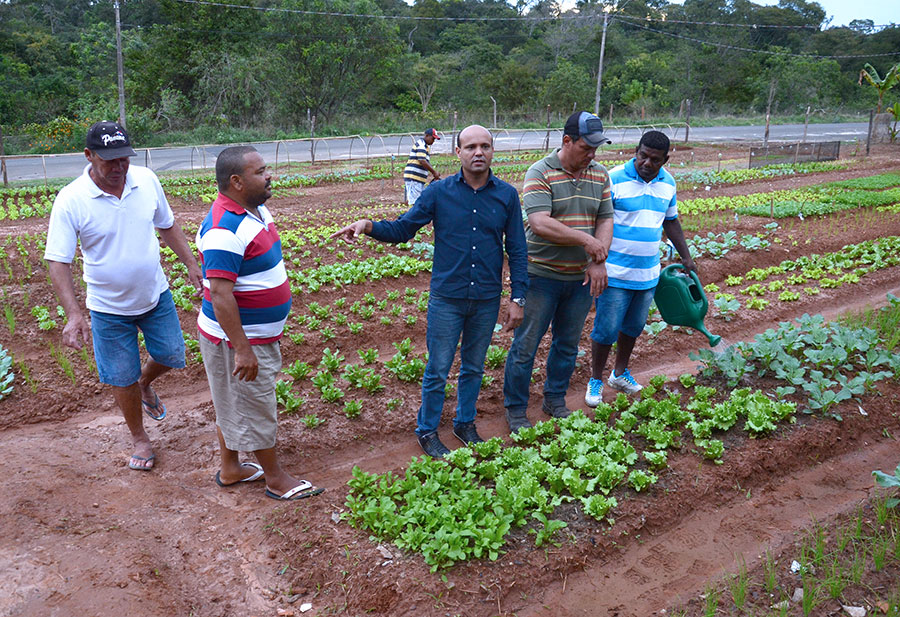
(471, 229)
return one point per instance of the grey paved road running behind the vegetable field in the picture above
(344, 148)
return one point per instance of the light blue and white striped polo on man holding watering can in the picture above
(640, 209)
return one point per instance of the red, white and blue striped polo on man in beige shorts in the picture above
(237, 246)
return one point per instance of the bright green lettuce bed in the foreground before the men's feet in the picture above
(464, 506)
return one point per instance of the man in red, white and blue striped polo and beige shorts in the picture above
(246, 301)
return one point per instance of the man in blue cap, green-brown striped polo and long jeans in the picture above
(567, 200)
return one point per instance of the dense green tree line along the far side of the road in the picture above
(189, 63)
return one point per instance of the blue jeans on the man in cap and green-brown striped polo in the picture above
(564, 305)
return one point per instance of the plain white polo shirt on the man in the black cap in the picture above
(118, 240)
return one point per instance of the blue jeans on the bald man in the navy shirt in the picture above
(447, 319)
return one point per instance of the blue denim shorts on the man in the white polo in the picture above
(116, 349)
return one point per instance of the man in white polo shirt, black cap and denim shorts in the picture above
(113, 210)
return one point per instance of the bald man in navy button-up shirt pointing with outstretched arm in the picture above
(475, 215)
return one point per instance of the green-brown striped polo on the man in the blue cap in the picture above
(577, 204)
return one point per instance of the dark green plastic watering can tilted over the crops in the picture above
(681, 301)
